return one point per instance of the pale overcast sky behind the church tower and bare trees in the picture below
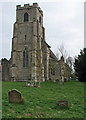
(63, 22)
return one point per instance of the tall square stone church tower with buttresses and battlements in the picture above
(28, 36)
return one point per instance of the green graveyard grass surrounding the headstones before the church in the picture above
(42, 102)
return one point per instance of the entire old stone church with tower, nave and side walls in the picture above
(31, 56)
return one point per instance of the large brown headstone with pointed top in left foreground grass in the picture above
(14, 96)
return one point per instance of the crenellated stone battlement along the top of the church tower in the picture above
(28, 6)
